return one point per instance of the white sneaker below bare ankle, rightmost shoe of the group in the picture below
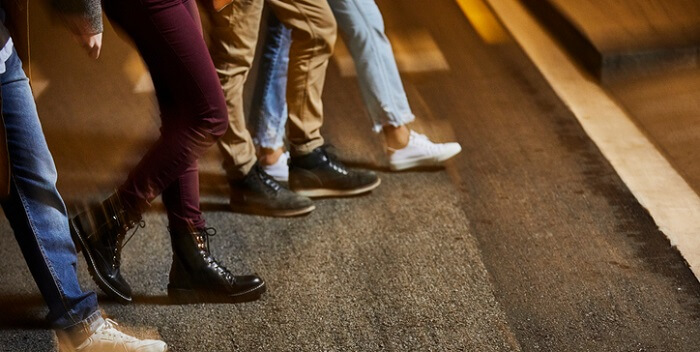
(420, 151)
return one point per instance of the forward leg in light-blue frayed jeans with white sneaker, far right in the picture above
(362, 27)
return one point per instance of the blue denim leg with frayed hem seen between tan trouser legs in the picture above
(272, 115)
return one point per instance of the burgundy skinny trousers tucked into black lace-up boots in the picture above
(168, 34)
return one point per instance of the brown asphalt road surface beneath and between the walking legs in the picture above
(527, 241)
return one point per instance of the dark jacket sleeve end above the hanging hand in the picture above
(81, 16)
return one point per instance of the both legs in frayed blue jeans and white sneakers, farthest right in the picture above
(361, 24)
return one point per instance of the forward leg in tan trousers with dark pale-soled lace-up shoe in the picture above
(313, 172)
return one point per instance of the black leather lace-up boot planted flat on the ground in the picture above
(196, 276)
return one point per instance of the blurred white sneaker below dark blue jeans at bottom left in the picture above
(108, 339)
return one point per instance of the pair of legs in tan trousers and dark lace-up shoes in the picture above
(315, 173)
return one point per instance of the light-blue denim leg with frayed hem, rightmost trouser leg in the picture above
(361, 24)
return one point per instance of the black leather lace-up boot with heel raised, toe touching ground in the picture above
(99, 231)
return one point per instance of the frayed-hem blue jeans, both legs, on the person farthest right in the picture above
(361, 24)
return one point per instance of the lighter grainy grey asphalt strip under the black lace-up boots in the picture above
(395, 270)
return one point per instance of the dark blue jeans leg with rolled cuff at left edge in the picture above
(36, 211)
